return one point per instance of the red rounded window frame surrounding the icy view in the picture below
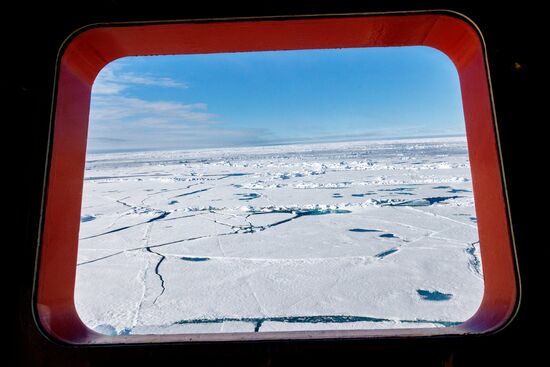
(91, 49)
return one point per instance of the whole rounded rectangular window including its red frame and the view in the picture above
(272, 182)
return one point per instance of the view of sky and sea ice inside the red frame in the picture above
(277, 191)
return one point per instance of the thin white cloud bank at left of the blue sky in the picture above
(120, 121)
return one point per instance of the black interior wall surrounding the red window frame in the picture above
(33, 36)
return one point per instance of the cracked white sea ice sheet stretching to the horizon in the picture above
(356, 235)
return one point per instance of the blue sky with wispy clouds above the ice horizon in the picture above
(280, 97)
